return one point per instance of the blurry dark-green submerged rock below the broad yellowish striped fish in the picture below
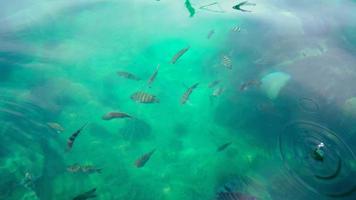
(135, 130)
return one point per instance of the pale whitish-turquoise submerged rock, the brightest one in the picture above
(273, 83)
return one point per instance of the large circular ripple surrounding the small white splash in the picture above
(331, 176)
